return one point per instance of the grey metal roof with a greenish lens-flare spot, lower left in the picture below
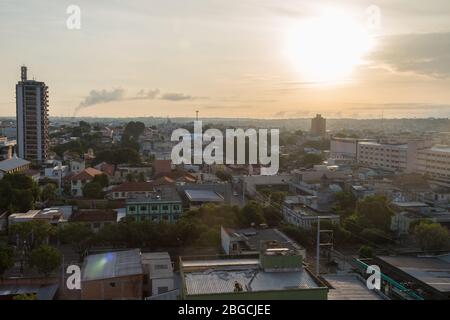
(112, 264)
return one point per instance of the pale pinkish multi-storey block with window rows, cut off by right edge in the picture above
(435, 163)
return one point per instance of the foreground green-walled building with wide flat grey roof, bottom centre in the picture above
(276, 274)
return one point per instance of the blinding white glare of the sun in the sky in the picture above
(327, 48)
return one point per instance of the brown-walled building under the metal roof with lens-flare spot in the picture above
(113, 276)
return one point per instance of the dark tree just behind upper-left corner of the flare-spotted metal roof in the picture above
(78, 235)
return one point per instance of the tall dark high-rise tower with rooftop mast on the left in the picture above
(32, 118)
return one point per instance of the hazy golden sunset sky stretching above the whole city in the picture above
(231, 58)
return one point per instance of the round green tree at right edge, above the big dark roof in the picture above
(431, 236)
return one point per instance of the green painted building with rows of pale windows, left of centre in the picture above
(163, 205)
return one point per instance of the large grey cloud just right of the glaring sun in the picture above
(423, 54)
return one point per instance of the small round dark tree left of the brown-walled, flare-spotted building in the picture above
(45, 259)
